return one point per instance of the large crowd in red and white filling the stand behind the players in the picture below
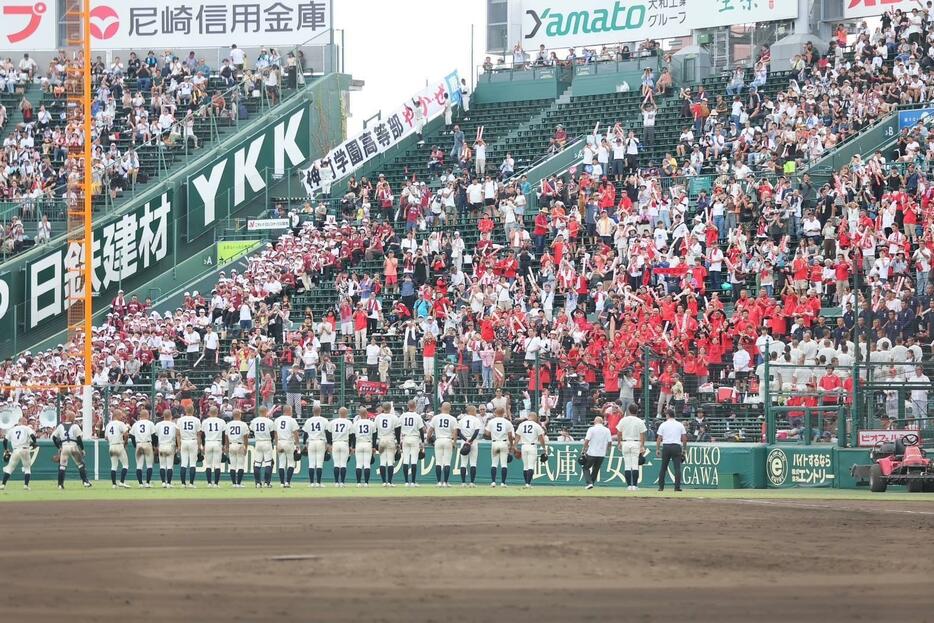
(481, 293)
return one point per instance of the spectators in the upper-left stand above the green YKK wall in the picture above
(152, 101)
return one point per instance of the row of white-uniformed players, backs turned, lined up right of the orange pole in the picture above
(213, 441)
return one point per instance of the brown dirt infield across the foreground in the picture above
(479, 559)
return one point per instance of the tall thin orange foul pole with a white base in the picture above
(87, 410)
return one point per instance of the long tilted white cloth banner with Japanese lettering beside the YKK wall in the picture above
(356, 151)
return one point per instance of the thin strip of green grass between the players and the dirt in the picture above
(43, 491)
